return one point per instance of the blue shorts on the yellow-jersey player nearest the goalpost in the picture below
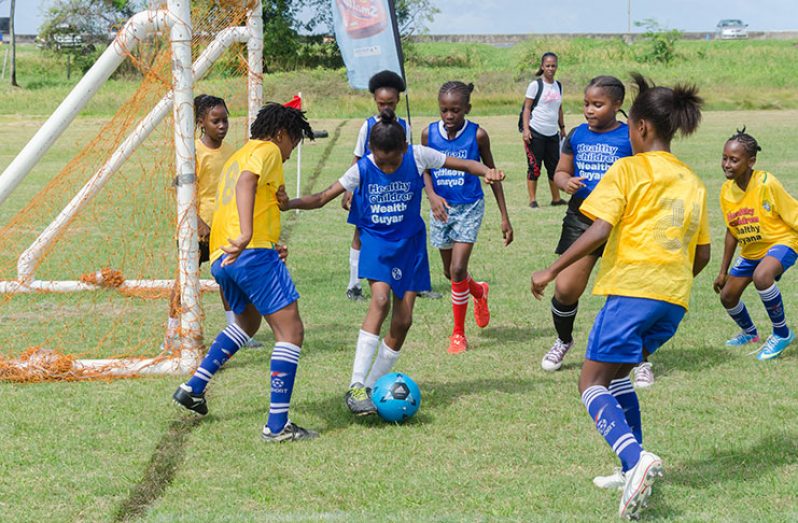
(258, 277)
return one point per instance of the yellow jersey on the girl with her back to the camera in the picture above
(658, 209)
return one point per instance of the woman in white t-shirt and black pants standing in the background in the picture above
(542, 127)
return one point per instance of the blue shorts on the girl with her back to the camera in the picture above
(625, 326)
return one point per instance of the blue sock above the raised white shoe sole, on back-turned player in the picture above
(611, 423)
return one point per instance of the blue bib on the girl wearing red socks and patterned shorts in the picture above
(456, 187)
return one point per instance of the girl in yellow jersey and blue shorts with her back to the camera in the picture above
(650, 209)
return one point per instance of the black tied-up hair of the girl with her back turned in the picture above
(668, 109)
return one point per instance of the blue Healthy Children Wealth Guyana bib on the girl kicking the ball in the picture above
(388, 206)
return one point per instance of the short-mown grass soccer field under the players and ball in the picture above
(496, 438)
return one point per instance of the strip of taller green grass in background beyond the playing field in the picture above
(723, 70)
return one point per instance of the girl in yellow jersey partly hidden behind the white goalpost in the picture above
(211, 118)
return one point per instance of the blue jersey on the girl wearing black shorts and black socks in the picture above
(594, 153)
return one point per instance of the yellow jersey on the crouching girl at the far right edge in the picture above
(761, 216)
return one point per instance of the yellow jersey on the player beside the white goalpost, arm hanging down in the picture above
(263, 159)
